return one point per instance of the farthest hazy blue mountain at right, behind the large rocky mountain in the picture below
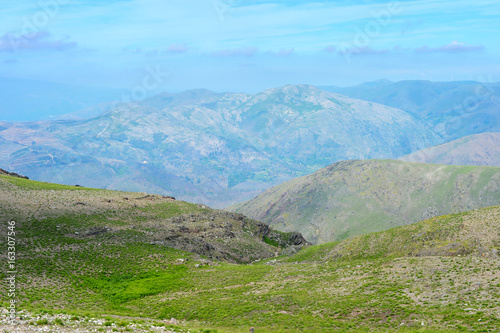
(452, 109)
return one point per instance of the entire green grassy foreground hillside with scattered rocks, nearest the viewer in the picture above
(90, 260)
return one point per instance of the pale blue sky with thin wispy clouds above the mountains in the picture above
(234, 45)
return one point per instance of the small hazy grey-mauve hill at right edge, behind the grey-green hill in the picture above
(477, 149)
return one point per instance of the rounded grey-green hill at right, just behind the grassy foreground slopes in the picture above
(356, 197)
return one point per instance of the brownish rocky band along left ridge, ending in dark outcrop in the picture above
(216, 234)
